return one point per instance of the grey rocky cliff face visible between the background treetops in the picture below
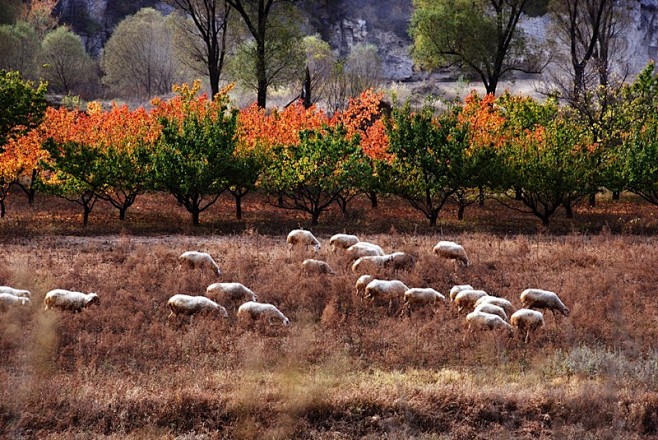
(345, 23)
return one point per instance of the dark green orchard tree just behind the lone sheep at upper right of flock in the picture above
(427, 156)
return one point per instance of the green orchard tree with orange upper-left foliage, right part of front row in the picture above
(549, 158)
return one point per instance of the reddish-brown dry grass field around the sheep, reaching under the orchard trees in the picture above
(343, 369)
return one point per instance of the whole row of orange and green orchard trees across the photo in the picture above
(530, 155)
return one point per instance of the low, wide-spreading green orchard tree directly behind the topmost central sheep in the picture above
(311, 176)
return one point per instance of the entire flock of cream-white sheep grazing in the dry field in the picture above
(376, 287)
